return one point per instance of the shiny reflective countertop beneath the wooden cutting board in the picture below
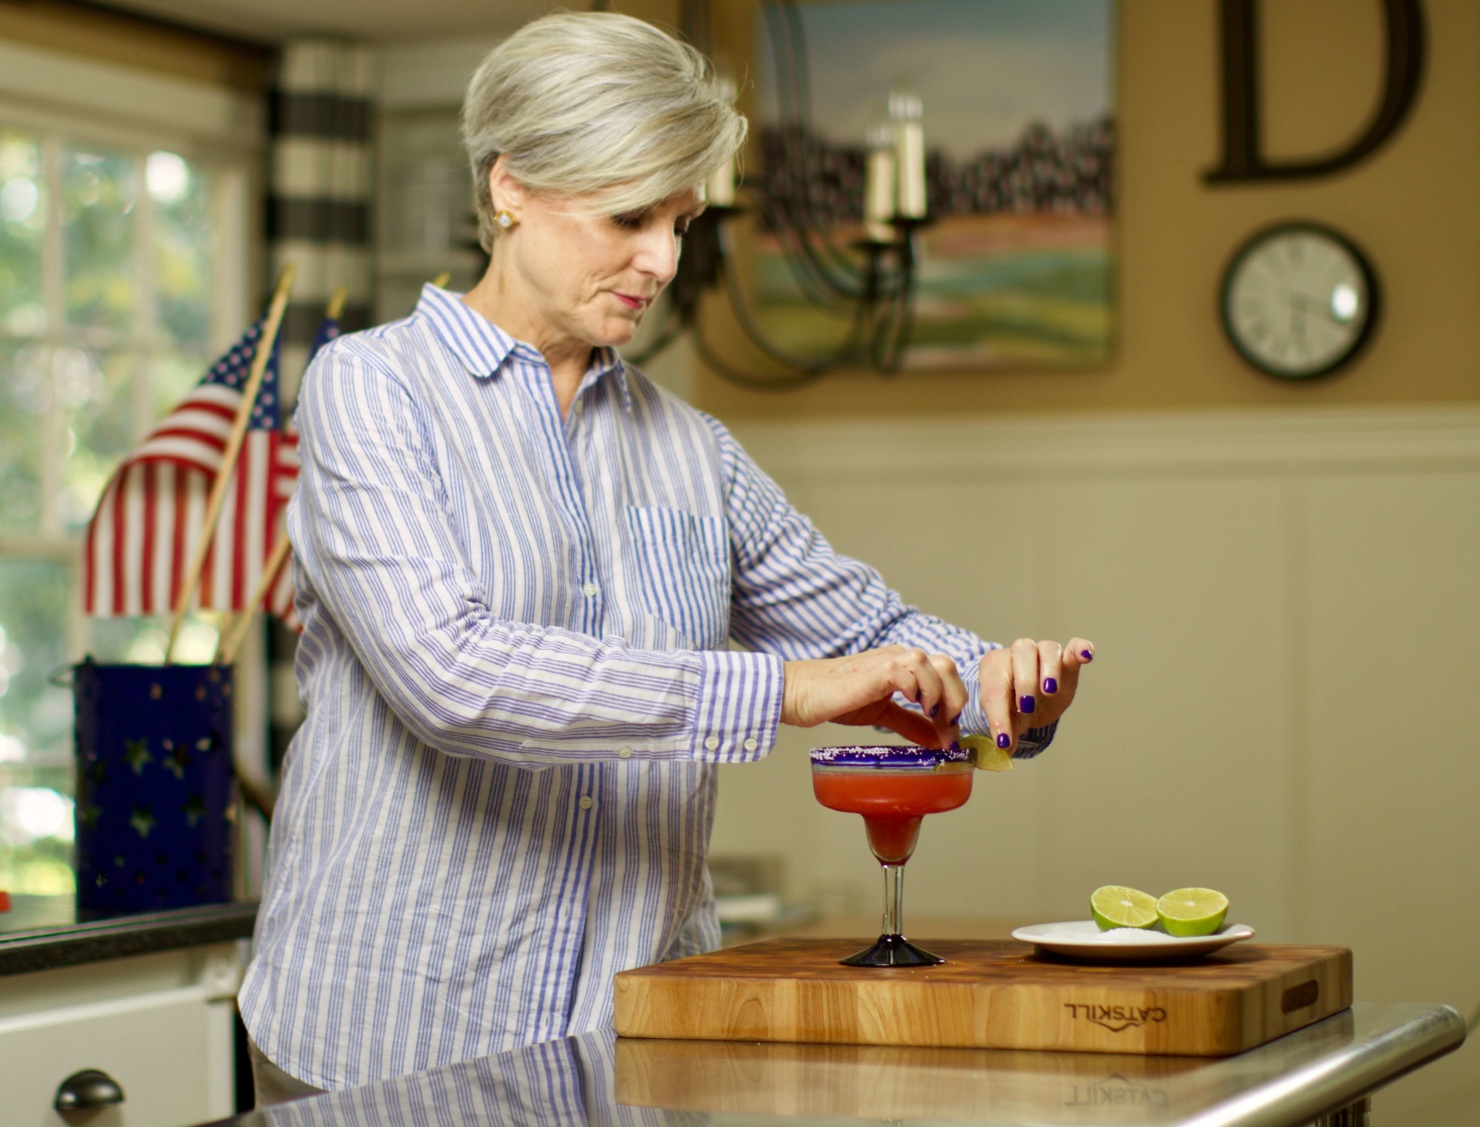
(603, 1080)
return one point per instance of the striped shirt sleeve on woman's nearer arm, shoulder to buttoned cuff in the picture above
(377, 546)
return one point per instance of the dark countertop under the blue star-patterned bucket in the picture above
(45, 932)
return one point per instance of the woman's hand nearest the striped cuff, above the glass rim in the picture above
(859, 689)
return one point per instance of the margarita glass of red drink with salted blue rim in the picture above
(893, 789)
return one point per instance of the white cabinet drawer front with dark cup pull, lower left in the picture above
(159, 1026)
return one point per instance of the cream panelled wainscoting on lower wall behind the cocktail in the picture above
(1285, 703)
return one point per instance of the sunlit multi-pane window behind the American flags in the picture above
(122, 276)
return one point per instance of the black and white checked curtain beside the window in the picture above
(319, 221)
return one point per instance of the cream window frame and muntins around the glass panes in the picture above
(63, 100)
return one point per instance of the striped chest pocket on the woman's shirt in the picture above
(683, 566)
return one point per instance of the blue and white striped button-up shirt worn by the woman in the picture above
(517, 679)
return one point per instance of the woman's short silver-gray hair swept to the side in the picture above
(597, 104)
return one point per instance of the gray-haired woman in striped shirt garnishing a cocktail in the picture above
(519, 565)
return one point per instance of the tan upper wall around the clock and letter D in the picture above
(1413, 207)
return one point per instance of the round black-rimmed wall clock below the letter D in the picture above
(1299, 301)
